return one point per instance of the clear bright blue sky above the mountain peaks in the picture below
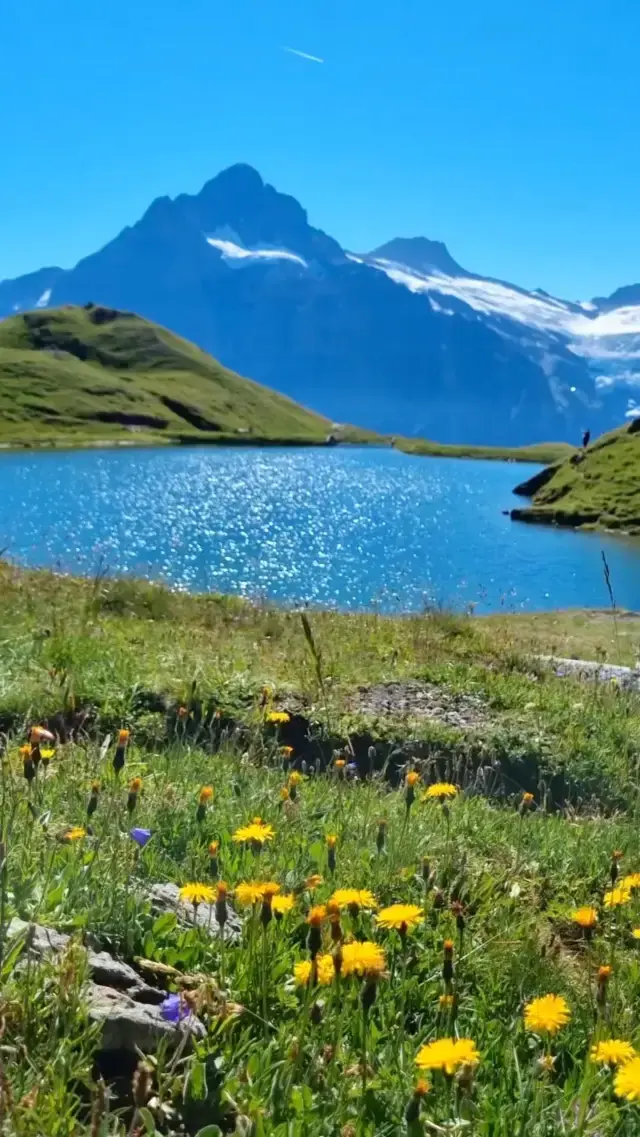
(509, 129)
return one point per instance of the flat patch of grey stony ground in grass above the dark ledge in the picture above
(414, 700)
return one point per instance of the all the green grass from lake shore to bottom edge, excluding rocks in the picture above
(115, 645)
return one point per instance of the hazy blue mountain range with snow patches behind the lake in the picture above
(401, 341)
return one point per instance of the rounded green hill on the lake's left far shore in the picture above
(72, 376)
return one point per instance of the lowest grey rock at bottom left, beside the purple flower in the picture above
(131, 1026)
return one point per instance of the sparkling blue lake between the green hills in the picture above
(346, 528)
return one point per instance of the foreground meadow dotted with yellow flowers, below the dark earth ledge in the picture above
(346, 950)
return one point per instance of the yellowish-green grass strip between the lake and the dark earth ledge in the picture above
(114, 638)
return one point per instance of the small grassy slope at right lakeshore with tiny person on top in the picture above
(596, 488)
